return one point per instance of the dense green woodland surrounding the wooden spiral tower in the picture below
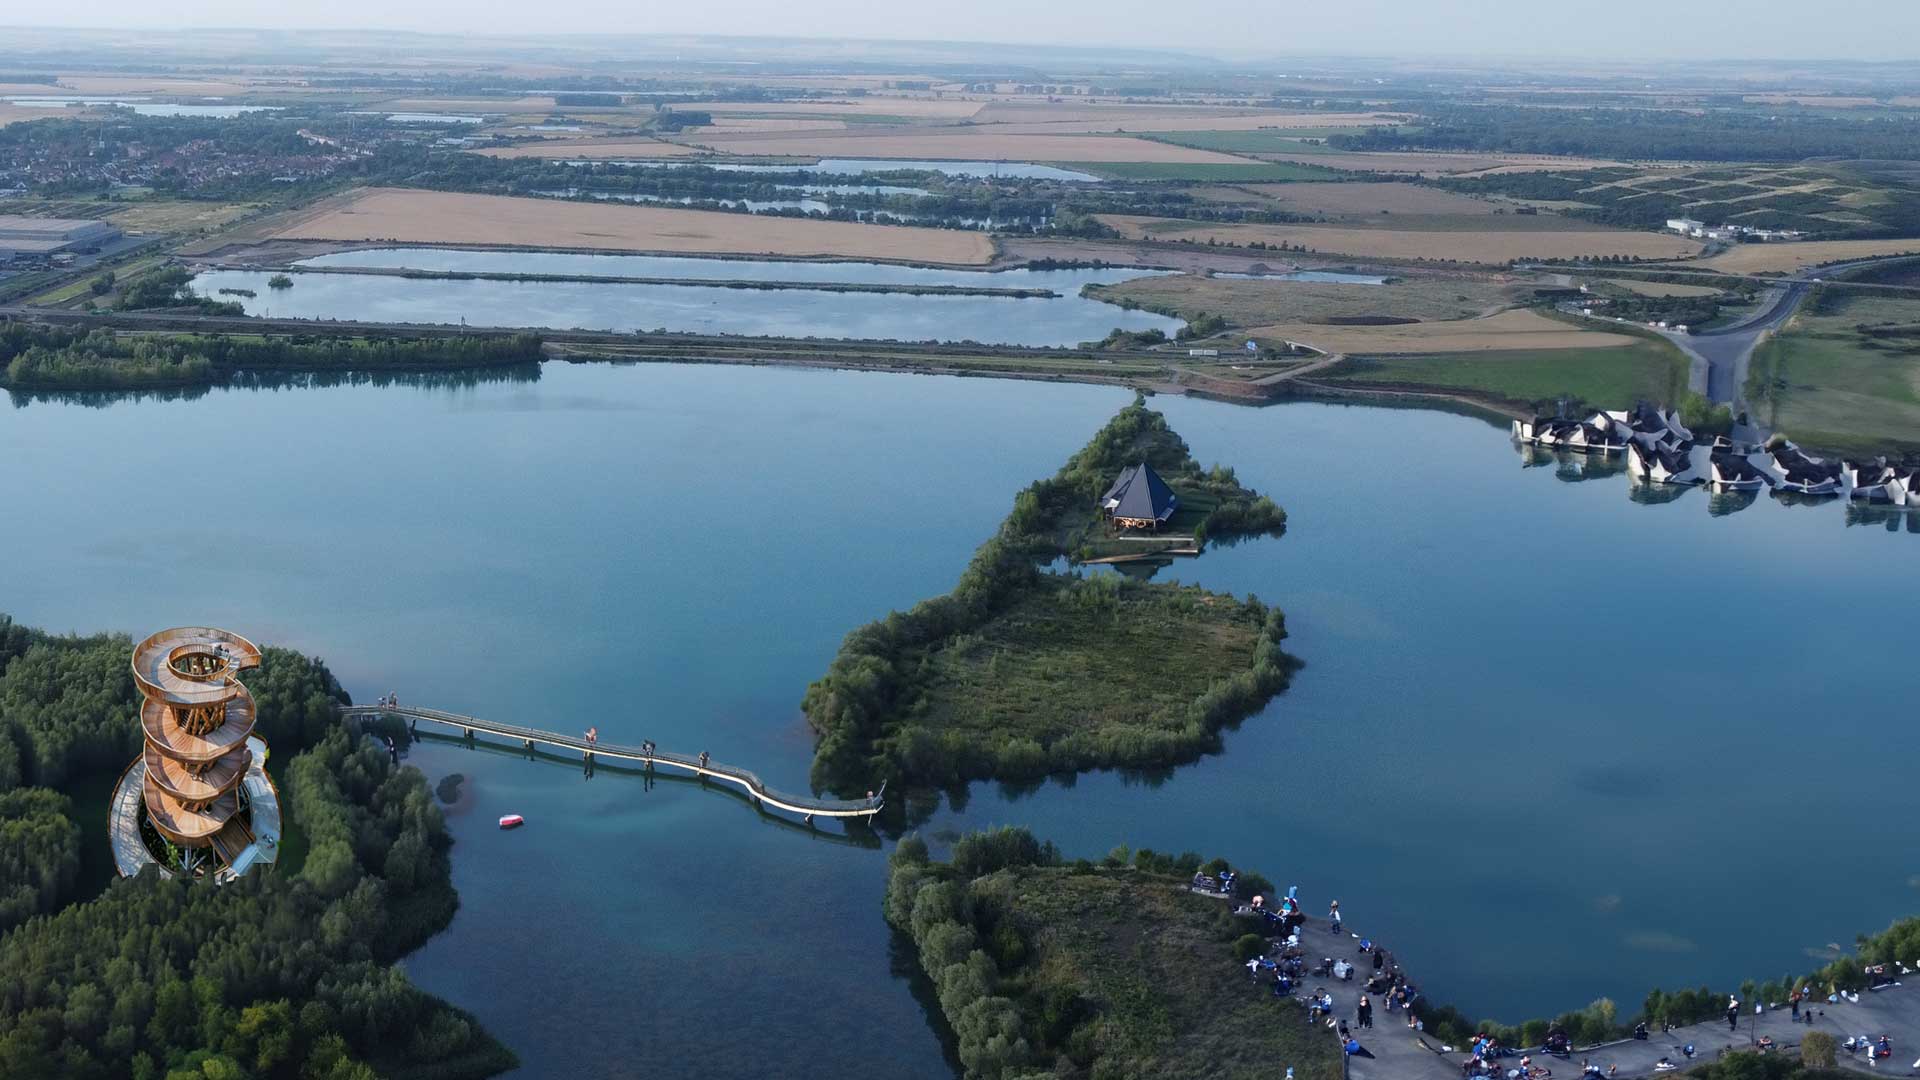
(287, 973)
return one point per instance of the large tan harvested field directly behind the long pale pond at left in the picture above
(487, 220)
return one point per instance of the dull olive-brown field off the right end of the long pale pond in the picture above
(1270, 303)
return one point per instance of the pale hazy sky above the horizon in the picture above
(1612, 30)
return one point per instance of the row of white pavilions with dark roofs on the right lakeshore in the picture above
(1662, 451)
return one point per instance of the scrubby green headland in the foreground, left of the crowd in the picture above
(1103, 970)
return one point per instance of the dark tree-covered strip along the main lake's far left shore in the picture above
(59, 358)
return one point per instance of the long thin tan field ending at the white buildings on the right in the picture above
(1456, 245)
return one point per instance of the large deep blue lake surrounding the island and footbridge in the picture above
(1550, 743)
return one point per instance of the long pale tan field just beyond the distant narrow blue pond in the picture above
(963, 145)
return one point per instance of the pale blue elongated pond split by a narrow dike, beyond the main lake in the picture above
(1067, 320)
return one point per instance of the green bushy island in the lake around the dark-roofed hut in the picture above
(1022, 672)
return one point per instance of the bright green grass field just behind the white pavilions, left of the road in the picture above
(1522, 380)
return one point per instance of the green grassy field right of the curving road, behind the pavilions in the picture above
(1844, 376)
